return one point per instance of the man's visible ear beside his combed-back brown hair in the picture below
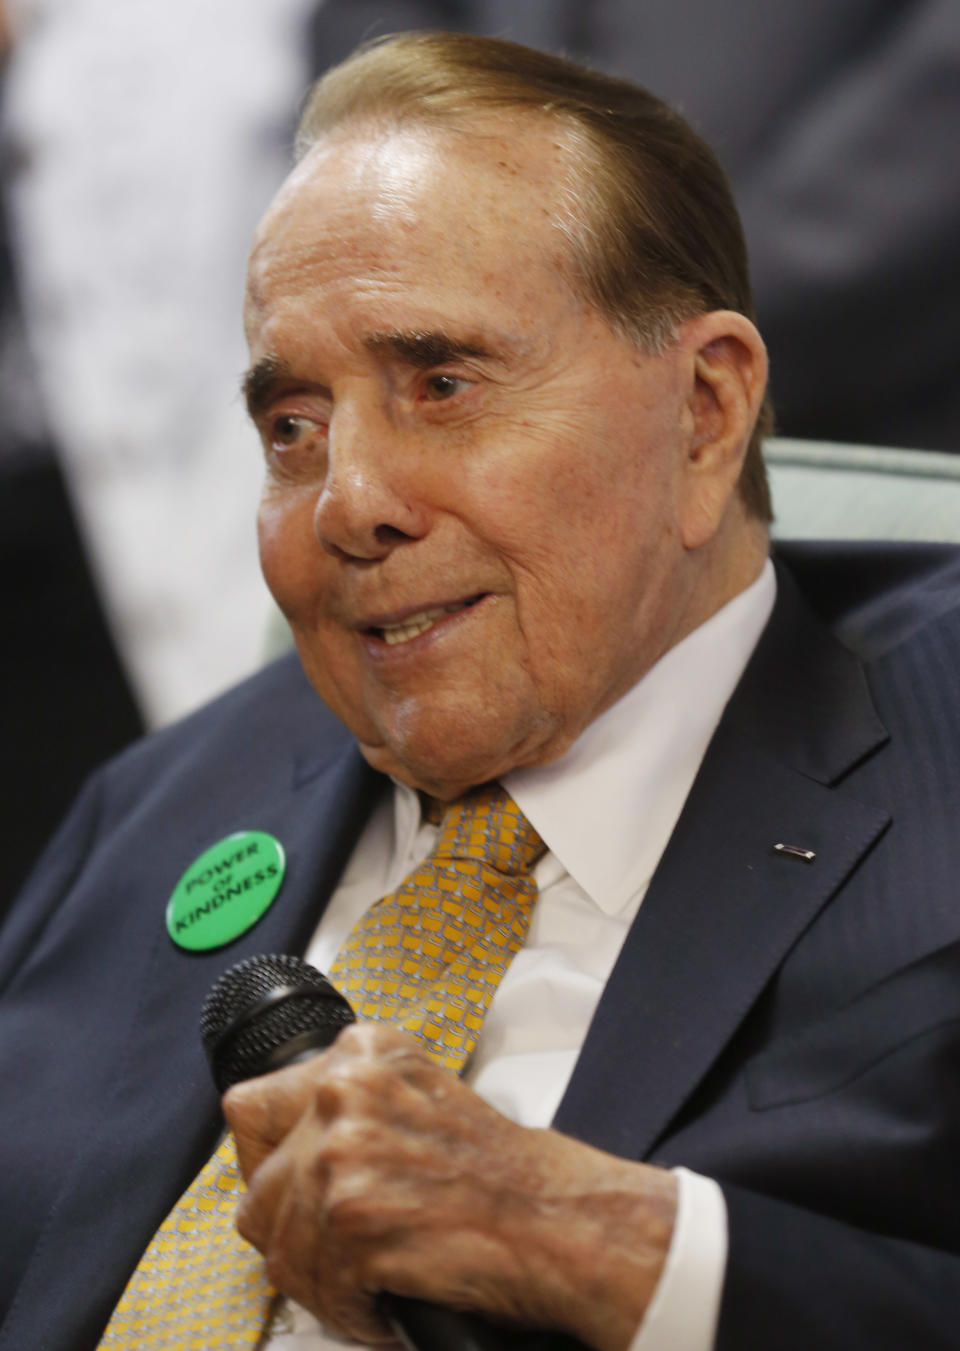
(727, 376)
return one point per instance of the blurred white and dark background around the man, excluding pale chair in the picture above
(140, 144)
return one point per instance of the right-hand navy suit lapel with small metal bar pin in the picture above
(724, 909)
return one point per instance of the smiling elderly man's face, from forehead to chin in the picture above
(475, 488)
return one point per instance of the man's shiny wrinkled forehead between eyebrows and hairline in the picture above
(498, 176)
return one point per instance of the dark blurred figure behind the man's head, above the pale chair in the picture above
(836, 121)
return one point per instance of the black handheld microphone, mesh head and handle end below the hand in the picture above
(268, 1013)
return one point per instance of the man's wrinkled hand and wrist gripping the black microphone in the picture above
(371, 1168)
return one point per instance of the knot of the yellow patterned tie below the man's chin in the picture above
(488, 826)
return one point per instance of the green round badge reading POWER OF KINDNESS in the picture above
(226, 891)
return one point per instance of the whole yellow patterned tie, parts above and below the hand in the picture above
(429, 957)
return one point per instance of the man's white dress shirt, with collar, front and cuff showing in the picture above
(606, 813)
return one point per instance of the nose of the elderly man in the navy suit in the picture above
(369, 503)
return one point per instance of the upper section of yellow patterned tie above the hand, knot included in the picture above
(431, 954)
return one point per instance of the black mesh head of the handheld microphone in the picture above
(242, 1041)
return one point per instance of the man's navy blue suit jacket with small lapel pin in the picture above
(789, 1029)
